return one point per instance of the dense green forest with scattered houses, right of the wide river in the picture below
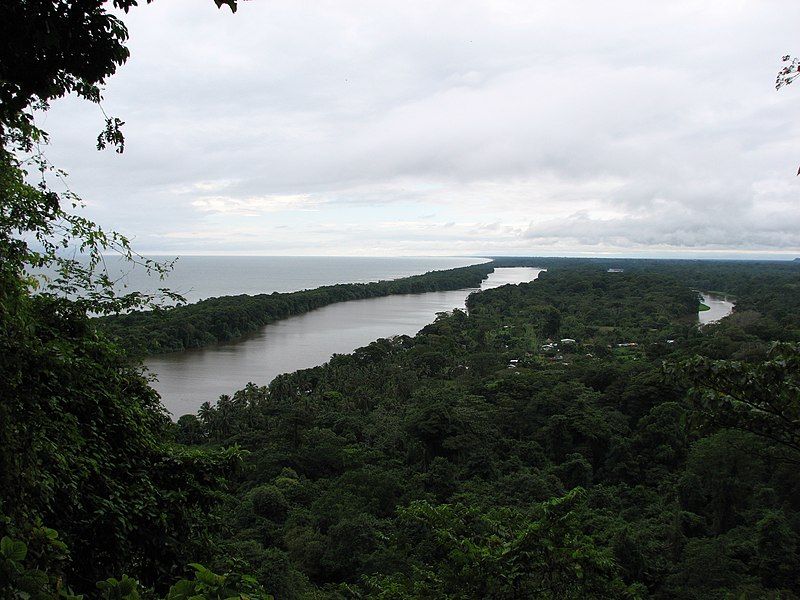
(475, 460)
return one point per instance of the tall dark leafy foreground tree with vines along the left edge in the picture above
(85, 445)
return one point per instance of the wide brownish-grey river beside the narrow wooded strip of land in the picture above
(187, 379)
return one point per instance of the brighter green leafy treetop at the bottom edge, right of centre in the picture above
(463, 552)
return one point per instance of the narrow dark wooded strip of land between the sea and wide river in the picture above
(230, 317)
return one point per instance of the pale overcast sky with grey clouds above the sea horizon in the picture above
(455, 128)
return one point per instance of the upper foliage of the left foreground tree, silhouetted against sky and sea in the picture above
(49, 49)
